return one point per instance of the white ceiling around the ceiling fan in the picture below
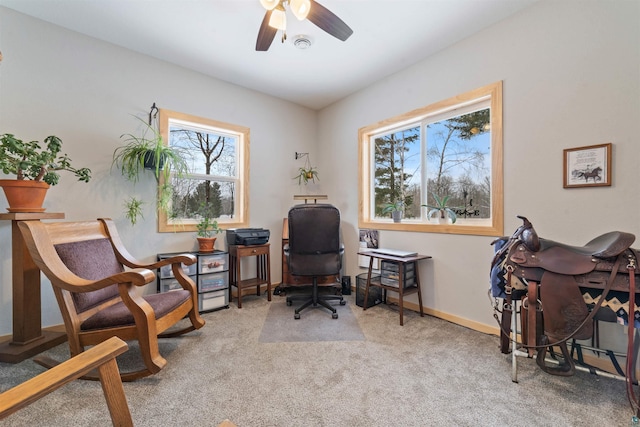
(218, 37)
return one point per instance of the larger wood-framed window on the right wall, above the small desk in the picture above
(452, 149)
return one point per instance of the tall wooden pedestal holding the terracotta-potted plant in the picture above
(29, 338)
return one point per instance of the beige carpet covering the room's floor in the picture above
(426, 373)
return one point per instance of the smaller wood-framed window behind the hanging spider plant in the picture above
(218, 178)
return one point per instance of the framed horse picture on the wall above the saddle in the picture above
(587, 166)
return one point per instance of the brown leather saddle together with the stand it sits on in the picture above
(546, 278)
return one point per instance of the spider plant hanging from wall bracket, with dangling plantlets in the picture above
(149, 152)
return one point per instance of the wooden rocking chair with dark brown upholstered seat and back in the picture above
(98, 298)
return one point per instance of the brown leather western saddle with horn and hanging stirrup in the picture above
(554, 273)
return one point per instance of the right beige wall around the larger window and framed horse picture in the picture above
(571, 73)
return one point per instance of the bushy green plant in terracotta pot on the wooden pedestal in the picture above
(36, 169)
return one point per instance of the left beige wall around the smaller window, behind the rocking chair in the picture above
(54, 81)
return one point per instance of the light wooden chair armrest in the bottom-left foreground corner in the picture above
(101, 357)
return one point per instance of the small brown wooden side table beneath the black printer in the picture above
(263, 269)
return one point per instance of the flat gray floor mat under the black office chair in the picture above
(315, 324)
